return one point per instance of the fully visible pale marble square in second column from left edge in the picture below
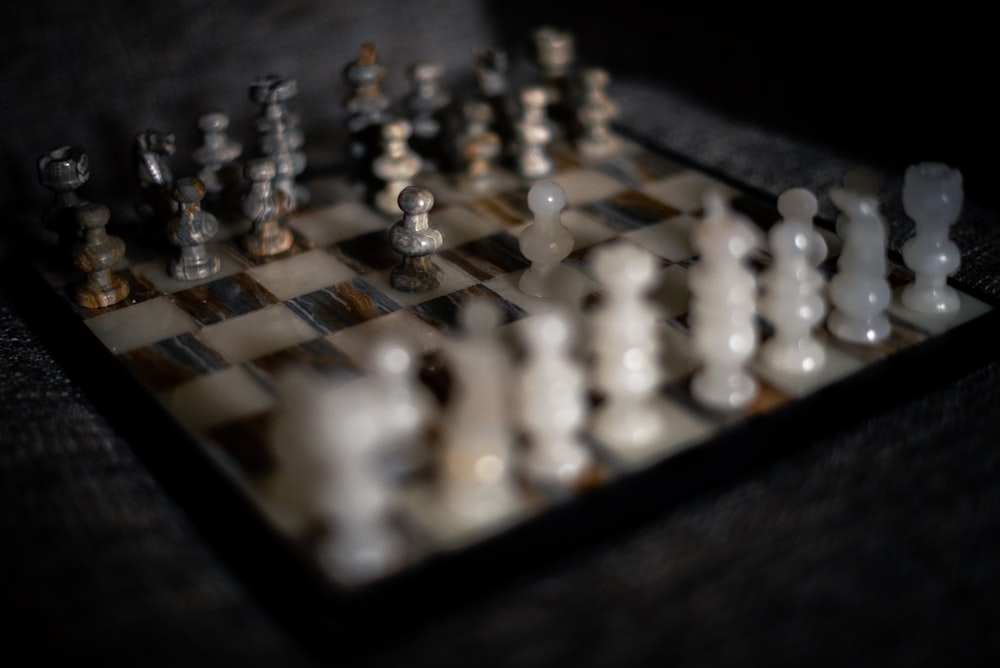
(257, 333)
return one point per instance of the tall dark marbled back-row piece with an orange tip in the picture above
(367, 109)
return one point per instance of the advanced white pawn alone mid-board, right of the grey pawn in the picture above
(545, 241)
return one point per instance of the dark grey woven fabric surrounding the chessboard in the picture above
(877, 544)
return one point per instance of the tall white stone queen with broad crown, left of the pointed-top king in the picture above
(625, 343)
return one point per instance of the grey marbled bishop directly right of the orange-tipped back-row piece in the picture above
(426, 106)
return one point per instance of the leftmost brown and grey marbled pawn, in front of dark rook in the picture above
(96, 254)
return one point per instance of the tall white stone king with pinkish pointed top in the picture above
(723, 306)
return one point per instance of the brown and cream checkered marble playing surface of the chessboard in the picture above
(205, 356)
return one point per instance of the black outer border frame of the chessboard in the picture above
(334, 620)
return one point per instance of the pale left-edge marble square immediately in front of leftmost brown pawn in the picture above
(141, 324)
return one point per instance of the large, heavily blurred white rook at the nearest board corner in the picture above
(328, 475)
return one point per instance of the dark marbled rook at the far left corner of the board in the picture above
(63, 170)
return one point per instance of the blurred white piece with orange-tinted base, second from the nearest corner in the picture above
(476, 473)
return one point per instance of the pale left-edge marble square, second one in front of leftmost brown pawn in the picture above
(211, 400)
